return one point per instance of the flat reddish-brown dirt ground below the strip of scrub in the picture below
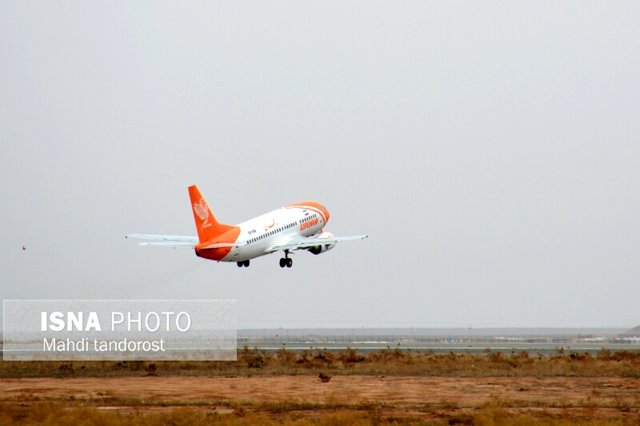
(409, 398)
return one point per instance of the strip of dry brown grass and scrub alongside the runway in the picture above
(384, 362)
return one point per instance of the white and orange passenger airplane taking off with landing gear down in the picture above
(296, 226)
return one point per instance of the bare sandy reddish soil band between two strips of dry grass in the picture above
(407, 394)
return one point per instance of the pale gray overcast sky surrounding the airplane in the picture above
(491, 150)
